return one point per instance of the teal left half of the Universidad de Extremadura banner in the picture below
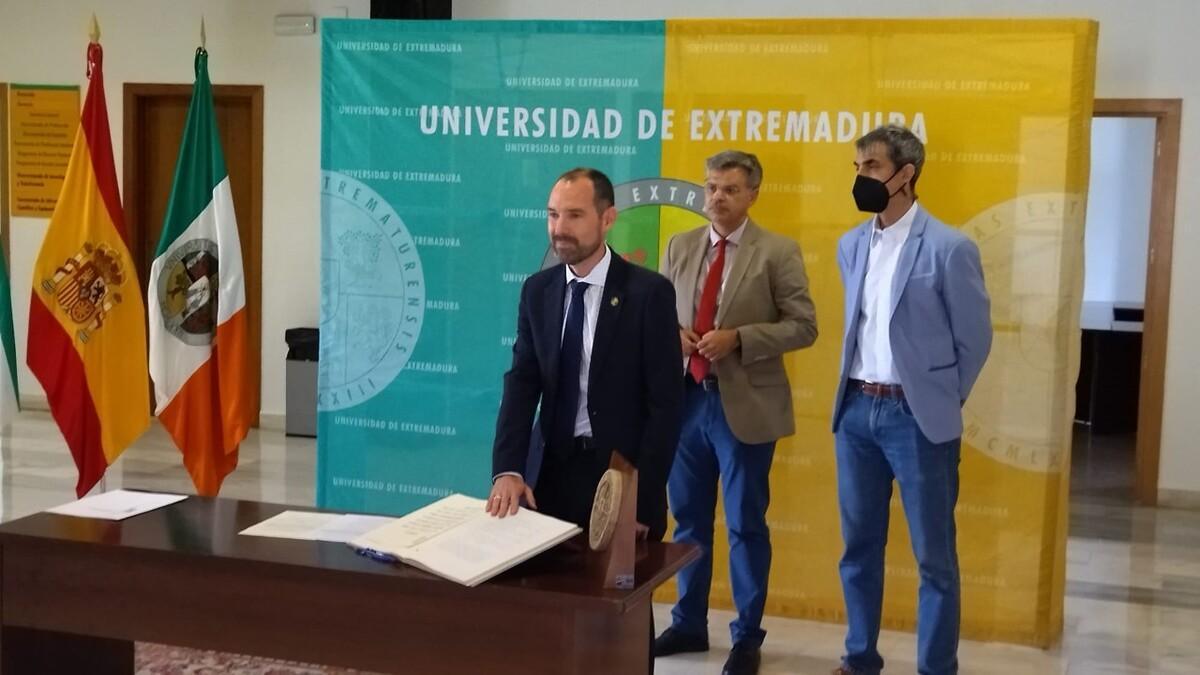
(440, 145)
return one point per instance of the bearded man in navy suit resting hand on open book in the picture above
(598, 348)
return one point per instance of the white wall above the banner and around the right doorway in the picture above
(1148, 50)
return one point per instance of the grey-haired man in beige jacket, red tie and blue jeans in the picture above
(743, 302)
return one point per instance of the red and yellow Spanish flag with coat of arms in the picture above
(87, 320)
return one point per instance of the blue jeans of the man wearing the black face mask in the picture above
(879, 441)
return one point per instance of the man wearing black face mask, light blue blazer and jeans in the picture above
(917, 334)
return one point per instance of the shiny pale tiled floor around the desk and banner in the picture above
(1133, 590)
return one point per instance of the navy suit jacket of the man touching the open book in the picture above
(635, 381)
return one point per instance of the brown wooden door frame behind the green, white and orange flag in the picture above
(253, 250)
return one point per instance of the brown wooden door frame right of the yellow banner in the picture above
(1168, 115)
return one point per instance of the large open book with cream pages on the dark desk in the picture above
(455, 539)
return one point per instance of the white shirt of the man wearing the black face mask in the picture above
(873, 359)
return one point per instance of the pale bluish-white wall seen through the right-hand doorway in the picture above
(1118, 232)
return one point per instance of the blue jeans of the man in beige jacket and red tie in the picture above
(709, 452)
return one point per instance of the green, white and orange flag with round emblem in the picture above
(199, 306)
